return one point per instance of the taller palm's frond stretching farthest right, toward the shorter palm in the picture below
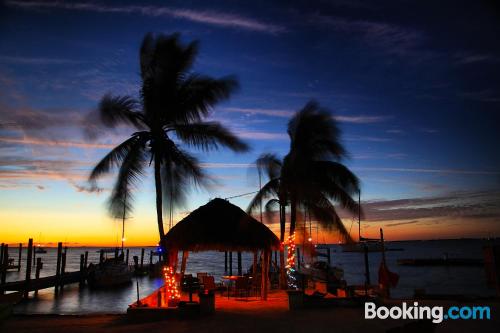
(209, 135)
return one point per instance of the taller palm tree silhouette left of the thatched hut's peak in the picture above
(173, 102)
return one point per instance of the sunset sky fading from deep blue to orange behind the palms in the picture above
(415, 87)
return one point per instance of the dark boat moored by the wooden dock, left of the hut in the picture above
(109, 273)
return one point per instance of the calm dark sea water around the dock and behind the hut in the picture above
(440, 280)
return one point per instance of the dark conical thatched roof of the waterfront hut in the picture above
(221, 226)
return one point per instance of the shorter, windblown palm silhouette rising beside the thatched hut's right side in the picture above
(311, 175)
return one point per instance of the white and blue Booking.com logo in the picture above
(436, 313)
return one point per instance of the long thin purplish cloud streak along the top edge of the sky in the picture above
(214, 18)
